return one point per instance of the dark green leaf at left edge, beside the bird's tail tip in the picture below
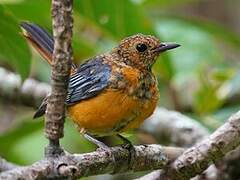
(13, 48)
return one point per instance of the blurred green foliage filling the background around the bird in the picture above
(199, 78)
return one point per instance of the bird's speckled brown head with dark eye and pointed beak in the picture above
(142, 50)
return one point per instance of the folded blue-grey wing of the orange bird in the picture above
(90, 79)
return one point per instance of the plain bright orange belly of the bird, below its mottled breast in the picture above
(111, 112)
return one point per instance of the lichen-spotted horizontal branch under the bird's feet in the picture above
(148, 157)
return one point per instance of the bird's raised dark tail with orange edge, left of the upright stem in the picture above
(41, 40)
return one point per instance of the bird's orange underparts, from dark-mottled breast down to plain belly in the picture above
(130, 97)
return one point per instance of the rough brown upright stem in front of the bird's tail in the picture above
(61, 66)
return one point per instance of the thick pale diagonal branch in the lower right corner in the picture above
(197, 158)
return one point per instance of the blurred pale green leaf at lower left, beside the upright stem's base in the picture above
(15, 144)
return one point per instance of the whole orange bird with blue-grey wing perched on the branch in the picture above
(110, 93)
